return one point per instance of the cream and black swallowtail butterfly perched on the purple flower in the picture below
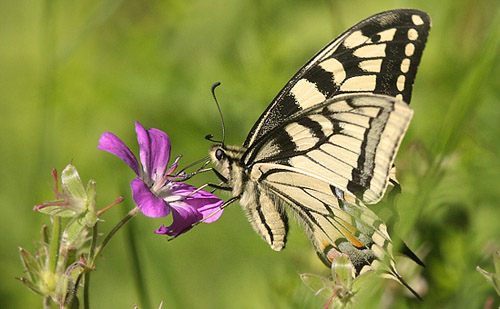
(324, 148)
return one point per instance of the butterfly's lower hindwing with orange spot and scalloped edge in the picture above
(328, 219)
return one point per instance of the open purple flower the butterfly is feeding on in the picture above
(156, 190)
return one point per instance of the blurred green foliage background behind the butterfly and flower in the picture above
(71, 70)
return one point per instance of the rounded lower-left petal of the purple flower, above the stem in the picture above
(149, 204)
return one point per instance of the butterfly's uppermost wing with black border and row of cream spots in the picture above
(378, 55)
